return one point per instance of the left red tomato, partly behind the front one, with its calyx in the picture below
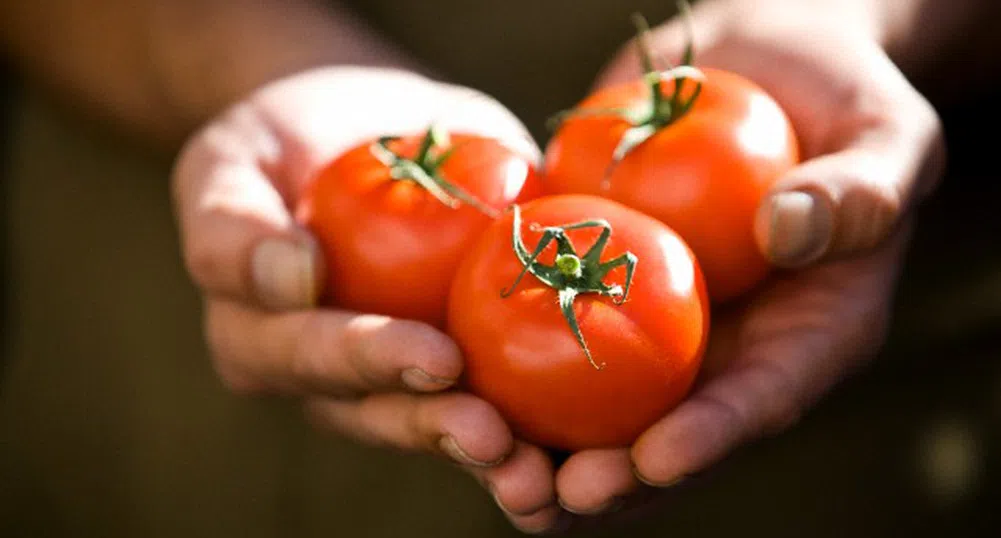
(392, 224)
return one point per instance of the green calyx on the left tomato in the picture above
(425, 170)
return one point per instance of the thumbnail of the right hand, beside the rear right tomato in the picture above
(795, 228)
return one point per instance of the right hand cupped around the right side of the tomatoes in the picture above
(872, 148)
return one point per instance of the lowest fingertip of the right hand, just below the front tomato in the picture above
(596, 481)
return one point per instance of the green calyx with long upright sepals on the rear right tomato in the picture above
(663, 109)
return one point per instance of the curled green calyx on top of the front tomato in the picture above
(572, 275)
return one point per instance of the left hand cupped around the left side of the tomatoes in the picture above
(375, 379)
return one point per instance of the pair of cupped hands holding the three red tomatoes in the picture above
(872, 146)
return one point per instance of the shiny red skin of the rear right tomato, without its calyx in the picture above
(704, 176)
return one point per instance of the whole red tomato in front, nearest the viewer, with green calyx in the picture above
(629, 362)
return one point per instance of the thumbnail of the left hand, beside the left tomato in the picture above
(285, 274)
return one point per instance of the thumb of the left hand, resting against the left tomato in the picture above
(239, 239)
